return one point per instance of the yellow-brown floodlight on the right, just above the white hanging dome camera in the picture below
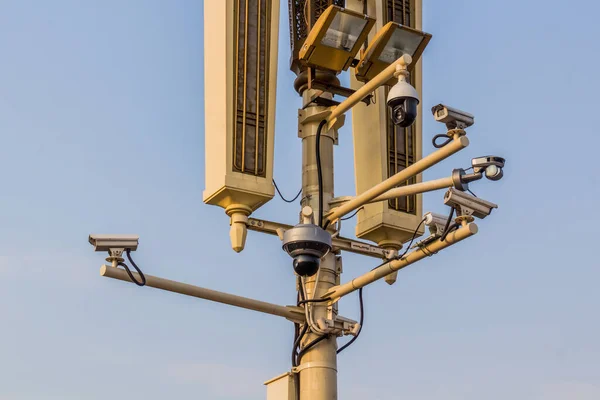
(390, 43)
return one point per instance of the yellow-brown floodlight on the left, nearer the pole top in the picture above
(335, 39)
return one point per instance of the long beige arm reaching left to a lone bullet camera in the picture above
(293, 313)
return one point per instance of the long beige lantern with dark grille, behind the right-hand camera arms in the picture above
(379, 222)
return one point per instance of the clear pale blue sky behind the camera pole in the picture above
(101, 120)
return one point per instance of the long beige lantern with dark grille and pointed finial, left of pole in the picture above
(238, 193)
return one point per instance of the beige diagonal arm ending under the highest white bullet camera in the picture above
(451, 148)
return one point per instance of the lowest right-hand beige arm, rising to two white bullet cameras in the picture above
(461, 233)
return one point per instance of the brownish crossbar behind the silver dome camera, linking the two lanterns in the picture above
(339, 243)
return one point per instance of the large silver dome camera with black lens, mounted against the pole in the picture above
(307, 244)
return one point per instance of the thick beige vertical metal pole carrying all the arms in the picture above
(318, 366)
